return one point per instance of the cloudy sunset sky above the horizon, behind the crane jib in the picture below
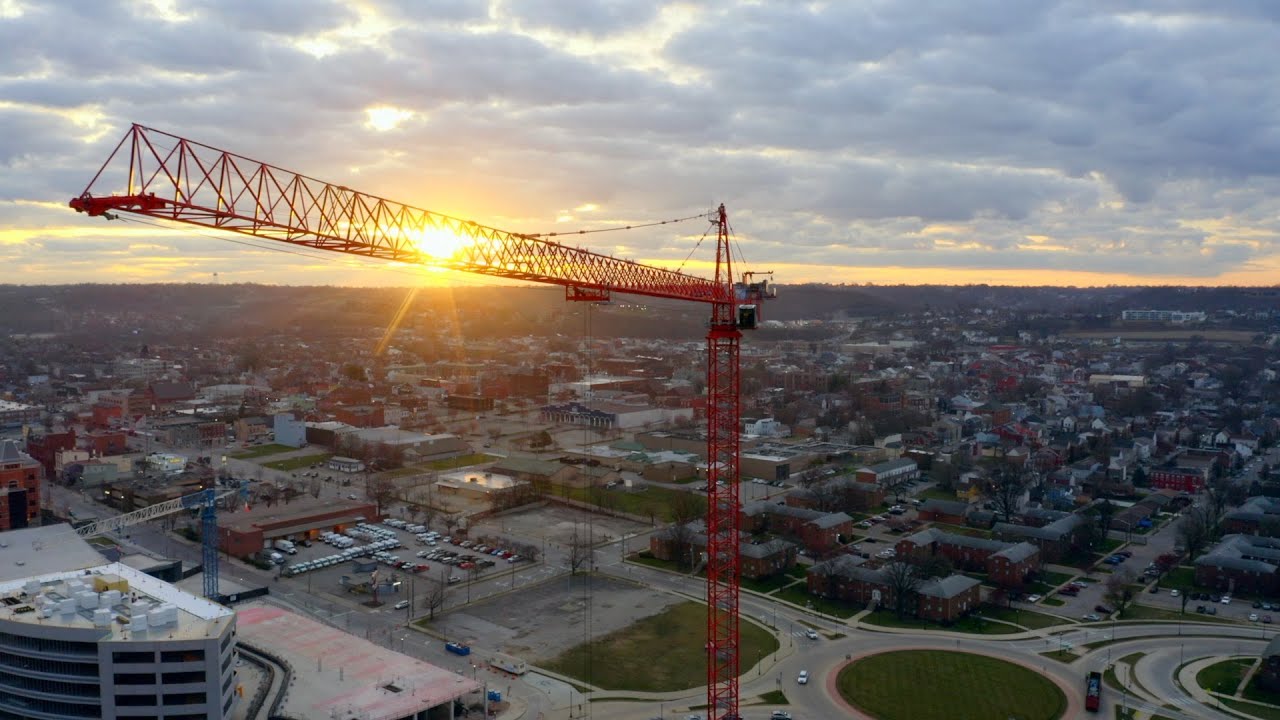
(853, 142)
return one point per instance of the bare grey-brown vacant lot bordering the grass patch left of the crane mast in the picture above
(542, 622)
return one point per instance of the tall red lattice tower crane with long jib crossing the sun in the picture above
(173, 179)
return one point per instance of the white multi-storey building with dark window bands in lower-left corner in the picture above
(108, 641)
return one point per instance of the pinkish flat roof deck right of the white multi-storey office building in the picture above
(342, 675)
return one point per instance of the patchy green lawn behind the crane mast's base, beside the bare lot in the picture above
(628, 659)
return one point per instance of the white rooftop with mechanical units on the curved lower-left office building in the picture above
(113, 600)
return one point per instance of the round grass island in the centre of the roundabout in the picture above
(961, 687)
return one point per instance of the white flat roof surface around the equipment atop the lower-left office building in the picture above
(196, 617)
